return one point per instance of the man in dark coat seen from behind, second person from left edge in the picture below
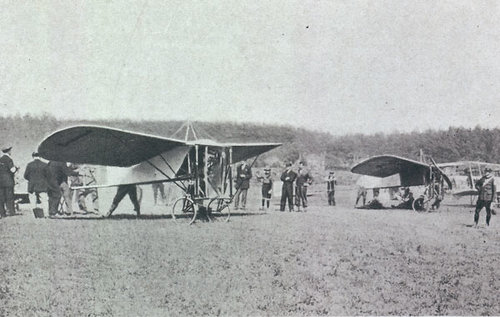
(37, 175)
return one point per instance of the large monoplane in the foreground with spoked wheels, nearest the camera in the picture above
(201, 168)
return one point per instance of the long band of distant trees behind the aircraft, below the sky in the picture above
(336, 152)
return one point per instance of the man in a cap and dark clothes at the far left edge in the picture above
(7, 171)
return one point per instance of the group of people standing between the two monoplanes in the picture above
(294, 183)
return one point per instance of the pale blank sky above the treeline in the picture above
(334, 66)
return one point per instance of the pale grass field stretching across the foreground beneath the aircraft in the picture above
(328, 261)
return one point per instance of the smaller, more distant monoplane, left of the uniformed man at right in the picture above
(429, 177)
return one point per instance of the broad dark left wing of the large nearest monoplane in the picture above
(96, 145)
